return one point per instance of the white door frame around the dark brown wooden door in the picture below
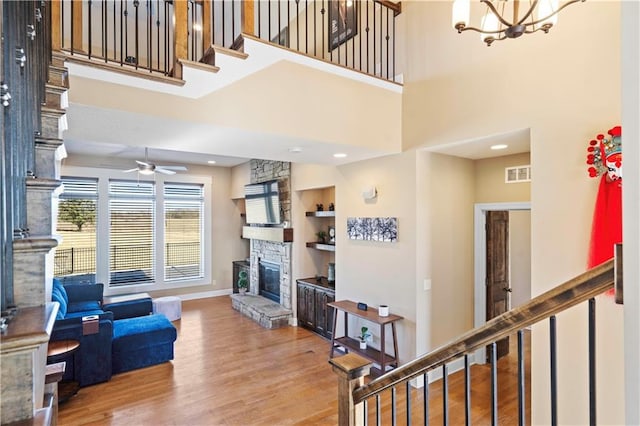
(480, 259)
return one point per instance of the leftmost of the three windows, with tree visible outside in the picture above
(77, 218)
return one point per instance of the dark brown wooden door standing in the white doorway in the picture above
(497, 282)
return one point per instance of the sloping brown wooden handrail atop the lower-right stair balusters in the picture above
(573, 292)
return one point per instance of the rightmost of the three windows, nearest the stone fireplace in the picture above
(183, 207)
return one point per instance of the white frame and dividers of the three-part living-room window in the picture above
(102, 251)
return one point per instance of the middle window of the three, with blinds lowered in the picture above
(131, 232)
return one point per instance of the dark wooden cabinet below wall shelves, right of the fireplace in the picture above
(313, 312)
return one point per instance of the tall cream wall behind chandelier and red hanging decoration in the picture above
(565, 87)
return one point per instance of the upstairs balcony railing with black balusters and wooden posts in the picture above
(155, 35)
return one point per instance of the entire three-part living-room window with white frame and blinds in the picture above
(151, 234)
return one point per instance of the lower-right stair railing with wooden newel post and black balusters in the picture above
(355, 397)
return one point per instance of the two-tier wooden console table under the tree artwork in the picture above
(350, 344)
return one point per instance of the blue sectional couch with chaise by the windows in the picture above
(125, 337)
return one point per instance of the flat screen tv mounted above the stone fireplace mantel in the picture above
(262, 203)
